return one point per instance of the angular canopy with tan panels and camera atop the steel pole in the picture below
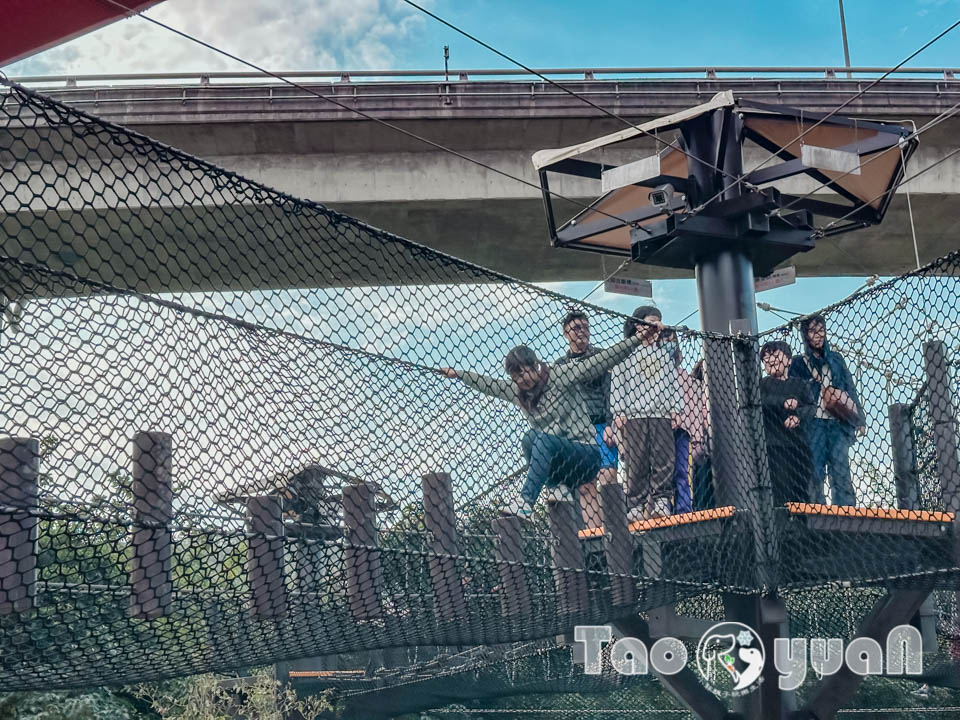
(692, 197)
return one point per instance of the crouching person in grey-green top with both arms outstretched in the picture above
(560, 446)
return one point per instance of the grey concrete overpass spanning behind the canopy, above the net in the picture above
(288, 138)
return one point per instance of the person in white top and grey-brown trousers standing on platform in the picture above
(644, 395)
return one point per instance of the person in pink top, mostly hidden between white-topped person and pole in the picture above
(687, 425)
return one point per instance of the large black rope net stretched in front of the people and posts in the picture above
(241, 428)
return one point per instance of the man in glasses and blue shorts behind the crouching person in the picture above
(576, 331)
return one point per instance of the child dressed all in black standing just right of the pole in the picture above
(788, 409)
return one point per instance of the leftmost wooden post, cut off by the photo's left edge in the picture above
(19, 468)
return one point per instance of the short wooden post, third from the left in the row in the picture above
(265, 550)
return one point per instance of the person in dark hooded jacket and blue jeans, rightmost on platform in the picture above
(838, 416)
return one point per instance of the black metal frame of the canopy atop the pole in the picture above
(742, 219)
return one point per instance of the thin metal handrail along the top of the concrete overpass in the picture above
(204, 78)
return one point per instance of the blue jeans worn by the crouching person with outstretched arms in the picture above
(554, 460)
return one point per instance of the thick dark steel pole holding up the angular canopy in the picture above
(725, 288)
